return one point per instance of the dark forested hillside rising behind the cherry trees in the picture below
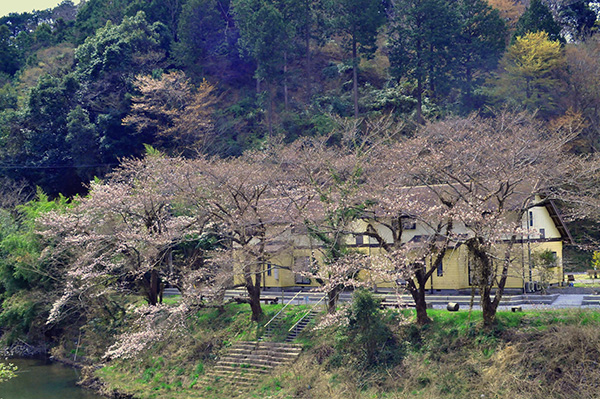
(85, 86)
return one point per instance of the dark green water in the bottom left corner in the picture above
(37, 379)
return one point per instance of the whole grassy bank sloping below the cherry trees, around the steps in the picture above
(530, 355)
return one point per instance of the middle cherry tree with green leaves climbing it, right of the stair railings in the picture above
(325, 188)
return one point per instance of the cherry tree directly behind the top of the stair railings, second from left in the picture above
(239, 197)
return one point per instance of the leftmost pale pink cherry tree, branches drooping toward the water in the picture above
(120, 237)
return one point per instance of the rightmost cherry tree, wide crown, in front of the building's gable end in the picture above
(486, 174)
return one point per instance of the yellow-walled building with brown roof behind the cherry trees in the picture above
(543, 230)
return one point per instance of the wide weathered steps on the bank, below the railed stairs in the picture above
(247, 362)
